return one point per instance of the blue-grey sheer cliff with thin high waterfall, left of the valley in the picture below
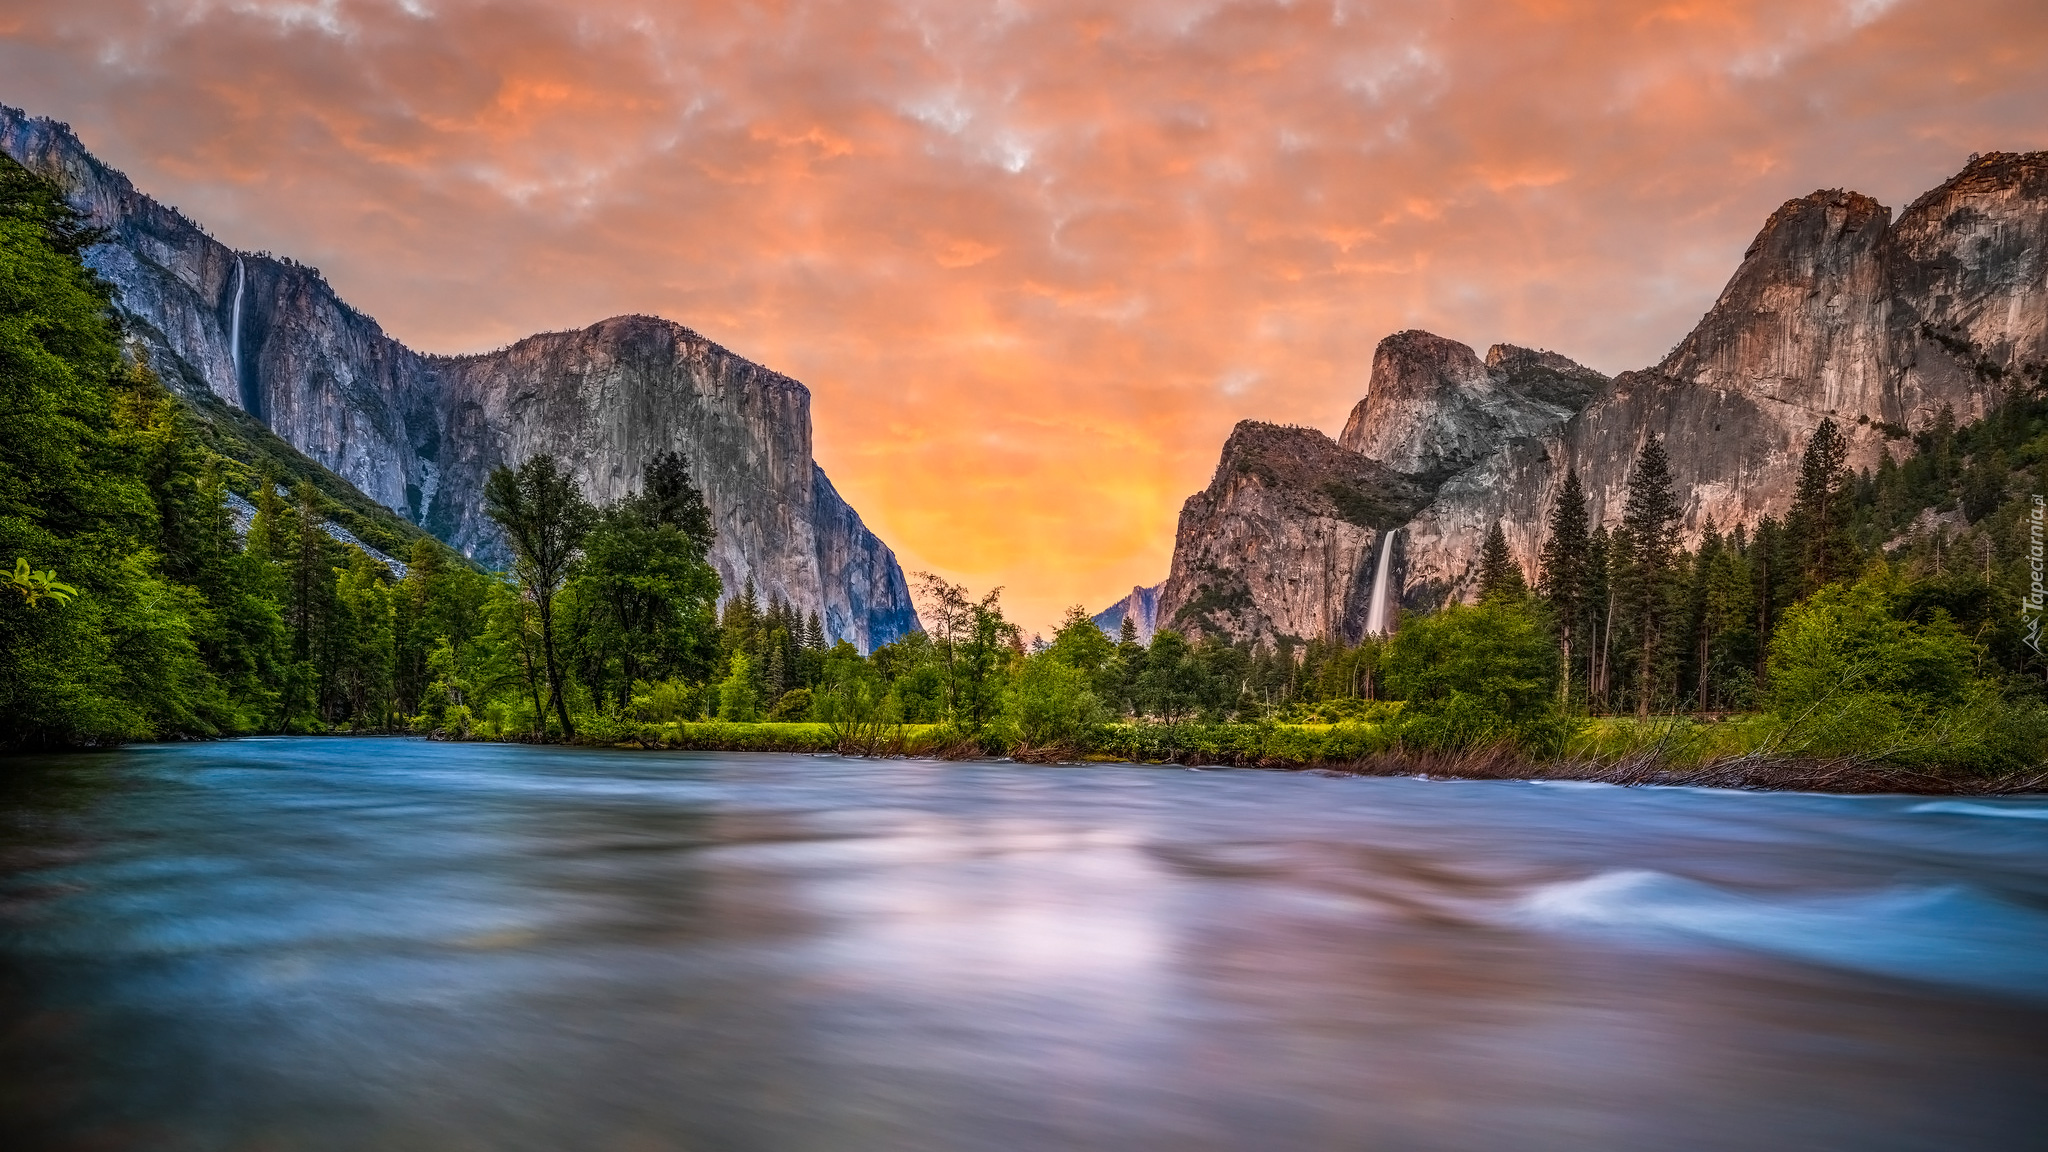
(421, 434)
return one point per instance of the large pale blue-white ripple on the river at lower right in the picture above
(1943, 936)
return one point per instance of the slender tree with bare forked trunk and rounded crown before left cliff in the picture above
(544, 516)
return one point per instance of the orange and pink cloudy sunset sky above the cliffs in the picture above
(1033, 257)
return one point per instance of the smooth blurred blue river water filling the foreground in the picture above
(400, 946)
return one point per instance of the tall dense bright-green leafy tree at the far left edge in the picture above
(122, 659)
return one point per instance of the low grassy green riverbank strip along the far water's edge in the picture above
(1672, 753)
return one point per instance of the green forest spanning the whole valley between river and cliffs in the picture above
(1881, 620)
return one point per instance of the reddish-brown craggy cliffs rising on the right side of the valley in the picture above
(1836, 313)
